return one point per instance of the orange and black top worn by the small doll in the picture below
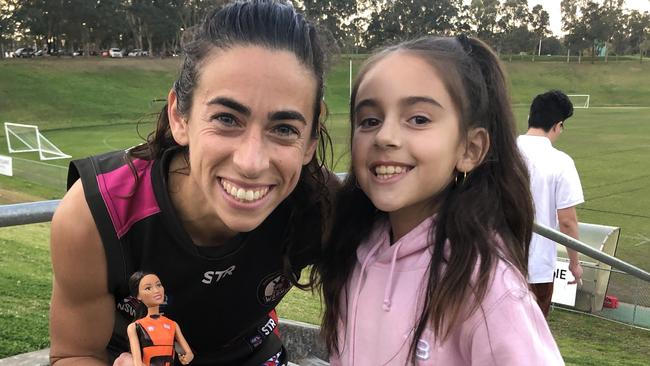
(158, 338)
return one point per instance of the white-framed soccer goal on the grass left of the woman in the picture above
(27, 138)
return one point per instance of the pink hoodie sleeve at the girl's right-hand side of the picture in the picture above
(511, 330)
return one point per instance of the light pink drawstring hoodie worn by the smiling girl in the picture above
(386, 292)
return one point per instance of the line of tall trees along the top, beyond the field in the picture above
(353, 26)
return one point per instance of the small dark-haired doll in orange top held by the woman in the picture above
(152, 336)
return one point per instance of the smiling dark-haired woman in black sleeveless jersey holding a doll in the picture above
(226, 201)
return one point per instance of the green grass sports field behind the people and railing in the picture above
(91, 106)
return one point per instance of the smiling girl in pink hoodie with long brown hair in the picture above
(428, 255)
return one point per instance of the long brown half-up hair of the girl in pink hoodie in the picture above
(493, 203)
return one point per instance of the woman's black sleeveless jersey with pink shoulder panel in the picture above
(221, 297)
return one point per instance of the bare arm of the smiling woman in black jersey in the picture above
(82, 309)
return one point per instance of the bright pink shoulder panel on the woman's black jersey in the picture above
(128, 201)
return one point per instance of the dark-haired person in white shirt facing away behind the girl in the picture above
(555, 186)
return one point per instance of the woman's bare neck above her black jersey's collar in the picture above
(202, 224)
